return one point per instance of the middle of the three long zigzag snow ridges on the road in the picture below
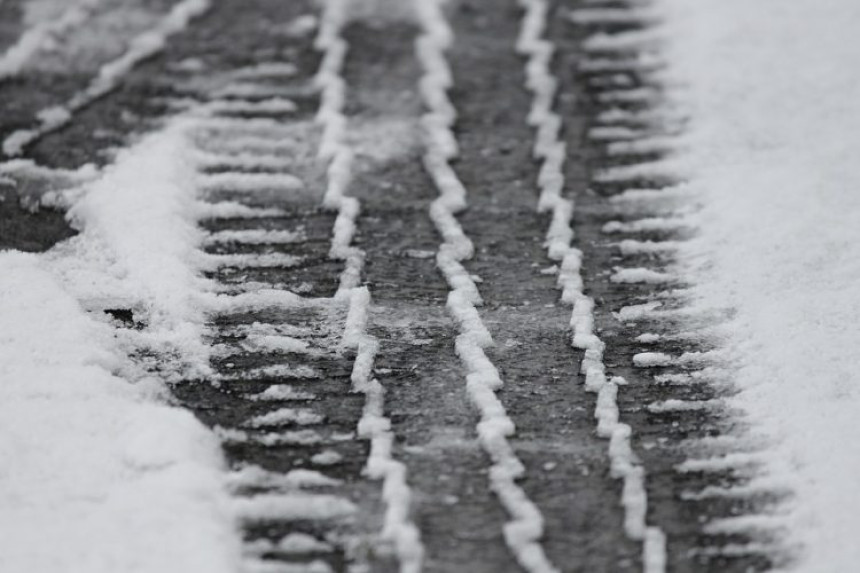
(525, 529)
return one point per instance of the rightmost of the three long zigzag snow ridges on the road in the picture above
(550, 149)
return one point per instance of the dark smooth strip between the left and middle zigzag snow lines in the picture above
(416, 362)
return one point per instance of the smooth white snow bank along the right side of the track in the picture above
(773, 91)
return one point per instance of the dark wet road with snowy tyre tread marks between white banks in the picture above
(429, 197)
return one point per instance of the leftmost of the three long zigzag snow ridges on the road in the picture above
(397, 527)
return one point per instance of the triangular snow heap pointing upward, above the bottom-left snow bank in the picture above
(138, 248)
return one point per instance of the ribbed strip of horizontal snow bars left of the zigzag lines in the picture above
(280, 396)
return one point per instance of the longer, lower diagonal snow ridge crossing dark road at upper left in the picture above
(110, 75)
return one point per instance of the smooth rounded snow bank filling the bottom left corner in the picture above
(97, 475)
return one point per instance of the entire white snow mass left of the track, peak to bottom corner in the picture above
(103, 474)
